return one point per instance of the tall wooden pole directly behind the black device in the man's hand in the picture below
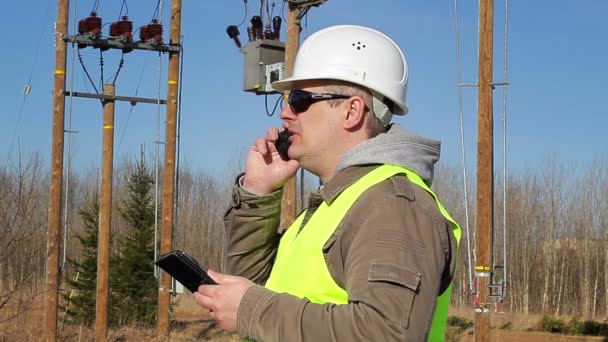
(166, 234)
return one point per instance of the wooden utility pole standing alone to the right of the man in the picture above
(485, 169)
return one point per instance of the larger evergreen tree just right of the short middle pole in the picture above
(133, 283)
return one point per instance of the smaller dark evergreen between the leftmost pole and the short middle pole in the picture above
(81, 306)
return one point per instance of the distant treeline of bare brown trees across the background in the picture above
(557, 230)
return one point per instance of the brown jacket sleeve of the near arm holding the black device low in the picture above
(389, 254)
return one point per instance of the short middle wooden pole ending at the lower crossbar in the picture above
(105, 216)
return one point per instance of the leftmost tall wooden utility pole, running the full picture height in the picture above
(54, 223)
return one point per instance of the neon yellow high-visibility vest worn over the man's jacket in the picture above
(300, 268)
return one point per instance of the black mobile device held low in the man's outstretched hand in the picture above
(184, 269)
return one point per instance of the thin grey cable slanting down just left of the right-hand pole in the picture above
(463, 152)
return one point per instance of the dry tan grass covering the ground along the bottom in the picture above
(192, 323)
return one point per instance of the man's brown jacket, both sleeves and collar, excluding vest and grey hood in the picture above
(393, 253)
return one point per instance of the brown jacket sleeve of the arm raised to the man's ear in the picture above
(252, 238)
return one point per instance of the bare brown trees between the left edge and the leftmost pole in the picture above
(22, 235)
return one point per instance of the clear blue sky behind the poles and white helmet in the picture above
(557, 60)
